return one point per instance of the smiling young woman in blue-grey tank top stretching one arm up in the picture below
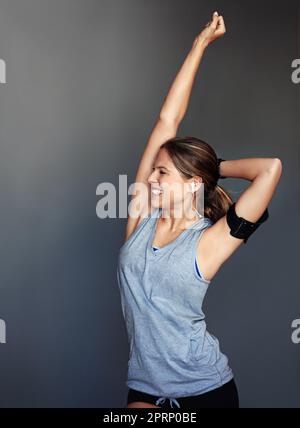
(168, 261)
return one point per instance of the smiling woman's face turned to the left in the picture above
(169, 189)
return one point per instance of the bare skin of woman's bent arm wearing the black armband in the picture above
(216, 244)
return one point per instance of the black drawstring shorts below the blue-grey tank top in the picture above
(225, 396)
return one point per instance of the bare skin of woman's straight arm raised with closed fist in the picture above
(171, 114)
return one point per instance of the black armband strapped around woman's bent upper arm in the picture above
(240, 227)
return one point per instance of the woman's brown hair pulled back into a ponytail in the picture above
(194, 157)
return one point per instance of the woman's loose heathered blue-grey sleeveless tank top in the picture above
(171, 352)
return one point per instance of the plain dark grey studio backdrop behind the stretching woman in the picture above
(85, 80)
